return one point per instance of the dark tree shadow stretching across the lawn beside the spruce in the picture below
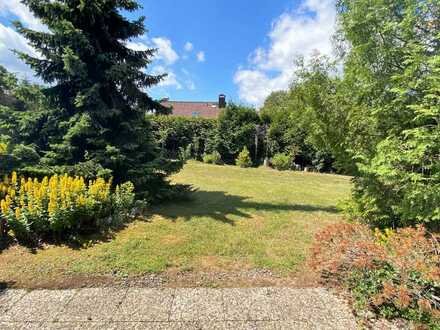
(222, 207)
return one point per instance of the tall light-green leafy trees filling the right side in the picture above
(378, 116)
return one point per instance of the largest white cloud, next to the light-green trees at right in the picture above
(299, 33)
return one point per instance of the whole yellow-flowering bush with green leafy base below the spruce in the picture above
(61, 206)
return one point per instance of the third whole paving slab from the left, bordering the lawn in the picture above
(145, 305)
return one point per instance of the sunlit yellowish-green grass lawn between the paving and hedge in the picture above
(239, 219)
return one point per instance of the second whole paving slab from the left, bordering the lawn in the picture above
(98, 304)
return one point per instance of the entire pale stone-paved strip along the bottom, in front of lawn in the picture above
(197, 308)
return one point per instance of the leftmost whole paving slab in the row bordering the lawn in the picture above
(39, 305)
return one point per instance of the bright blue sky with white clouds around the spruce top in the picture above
(243, 48)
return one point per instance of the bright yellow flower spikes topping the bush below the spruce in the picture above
(50, 196)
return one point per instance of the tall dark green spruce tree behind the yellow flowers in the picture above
(97, 83)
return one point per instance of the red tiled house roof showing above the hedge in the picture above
(193, 109)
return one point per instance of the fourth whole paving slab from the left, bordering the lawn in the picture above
(197, 305)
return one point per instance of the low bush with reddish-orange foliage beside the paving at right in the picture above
(394, 273)
